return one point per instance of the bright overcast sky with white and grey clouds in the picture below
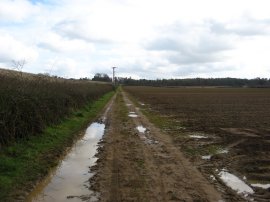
(143, 38)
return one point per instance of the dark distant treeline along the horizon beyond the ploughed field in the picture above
(233, 82)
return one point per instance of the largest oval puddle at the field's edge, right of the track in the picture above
(235, 183)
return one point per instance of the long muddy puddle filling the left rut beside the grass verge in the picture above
(70, 180)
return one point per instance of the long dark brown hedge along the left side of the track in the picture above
(29, 103)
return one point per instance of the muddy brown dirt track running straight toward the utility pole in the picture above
(137, 166)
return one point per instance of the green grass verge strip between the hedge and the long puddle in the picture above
(22, 164)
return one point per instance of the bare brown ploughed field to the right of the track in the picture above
(217, 129)
